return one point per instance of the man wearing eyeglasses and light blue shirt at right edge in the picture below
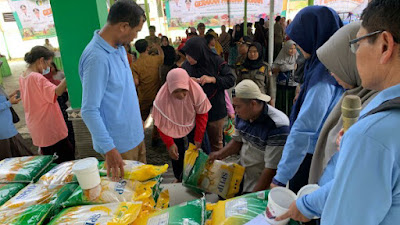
(366, 186)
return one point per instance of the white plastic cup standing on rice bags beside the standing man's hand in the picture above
(87, 173)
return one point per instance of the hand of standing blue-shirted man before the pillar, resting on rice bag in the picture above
(115, 165)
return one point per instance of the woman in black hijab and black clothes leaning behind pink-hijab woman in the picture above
(214, 75)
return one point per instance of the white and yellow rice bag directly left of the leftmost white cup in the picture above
(60, 174)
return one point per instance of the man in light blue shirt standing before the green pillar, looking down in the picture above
(110, 107)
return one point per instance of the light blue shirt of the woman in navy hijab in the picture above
(319, 102)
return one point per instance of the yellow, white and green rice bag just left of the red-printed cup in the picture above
(240, 210)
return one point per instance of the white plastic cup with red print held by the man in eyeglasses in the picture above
(279, 200)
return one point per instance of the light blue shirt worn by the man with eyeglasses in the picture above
(366, 187)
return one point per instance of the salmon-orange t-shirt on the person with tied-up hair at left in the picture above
(43, 115)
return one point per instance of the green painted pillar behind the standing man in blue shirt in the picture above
(75, 22)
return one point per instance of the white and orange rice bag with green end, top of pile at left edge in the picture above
(23, 169)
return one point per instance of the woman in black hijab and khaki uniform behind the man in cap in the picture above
(255, 69)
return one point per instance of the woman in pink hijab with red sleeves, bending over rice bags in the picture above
(181, 110)
